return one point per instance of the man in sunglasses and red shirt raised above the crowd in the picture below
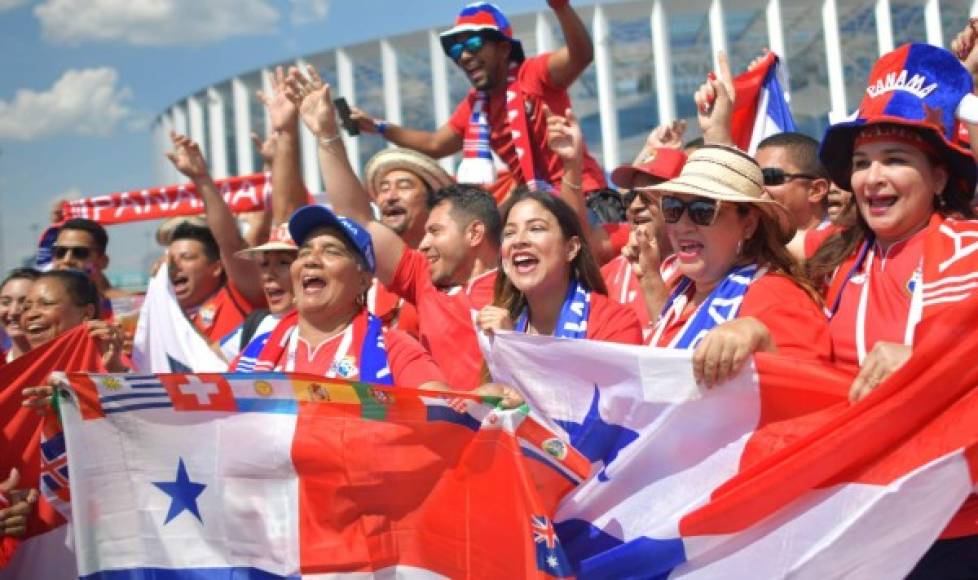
(512, 90)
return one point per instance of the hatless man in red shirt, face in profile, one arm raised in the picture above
(450, 277)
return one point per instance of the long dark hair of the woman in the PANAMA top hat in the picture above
(951, 202)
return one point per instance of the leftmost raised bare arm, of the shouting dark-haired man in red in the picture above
(188, 160)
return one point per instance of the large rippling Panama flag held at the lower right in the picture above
(772, 474)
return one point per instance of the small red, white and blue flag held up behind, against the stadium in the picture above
(761, 109)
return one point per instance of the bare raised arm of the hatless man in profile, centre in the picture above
(343, 189)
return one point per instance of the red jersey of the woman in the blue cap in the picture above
(410, 365)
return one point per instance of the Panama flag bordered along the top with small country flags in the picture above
(297, 476)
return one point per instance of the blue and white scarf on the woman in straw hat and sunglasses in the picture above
(722, 305)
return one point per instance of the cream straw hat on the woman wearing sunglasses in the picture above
(732, 176)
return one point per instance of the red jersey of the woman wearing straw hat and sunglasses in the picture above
(796, 322)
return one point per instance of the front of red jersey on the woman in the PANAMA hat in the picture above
(885, 279)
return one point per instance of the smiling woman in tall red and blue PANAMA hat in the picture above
(910, 257)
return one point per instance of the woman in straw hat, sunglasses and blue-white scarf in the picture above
(739, 290)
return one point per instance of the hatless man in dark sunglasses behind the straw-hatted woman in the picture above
(794, 176)
